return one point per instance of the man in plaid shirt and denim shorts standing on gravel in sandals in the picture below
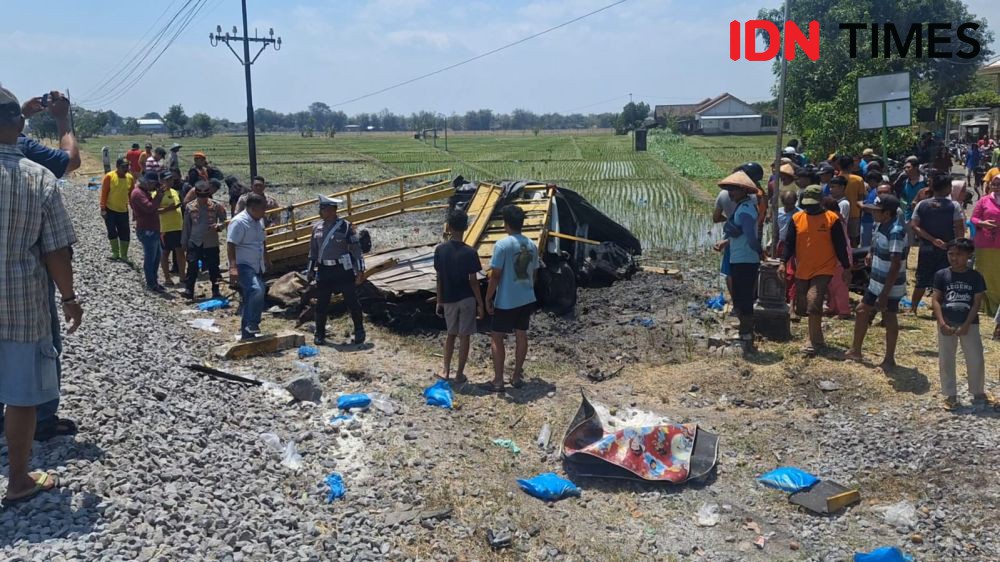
(37, 234)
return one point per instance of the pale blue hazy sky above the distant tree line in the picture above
(661, 51)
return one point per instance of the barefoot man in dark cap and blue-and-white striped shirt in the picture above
(887, 285)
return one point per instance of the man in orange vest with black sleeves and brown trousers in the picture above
(815, 238)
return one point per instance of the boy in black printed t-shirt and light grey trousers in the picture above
(958, 294)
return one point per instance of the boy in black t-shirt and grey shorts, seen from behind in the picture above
(458, 296)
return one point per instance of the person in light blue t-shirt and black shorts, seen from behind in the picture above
(510, 297)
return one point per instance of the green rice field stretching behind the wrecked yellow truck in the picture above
(651, 194)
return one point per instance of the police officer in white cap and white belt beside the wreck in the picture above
(335, 252)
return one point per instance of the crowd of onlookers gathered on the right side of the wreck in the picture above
(848, 214)
